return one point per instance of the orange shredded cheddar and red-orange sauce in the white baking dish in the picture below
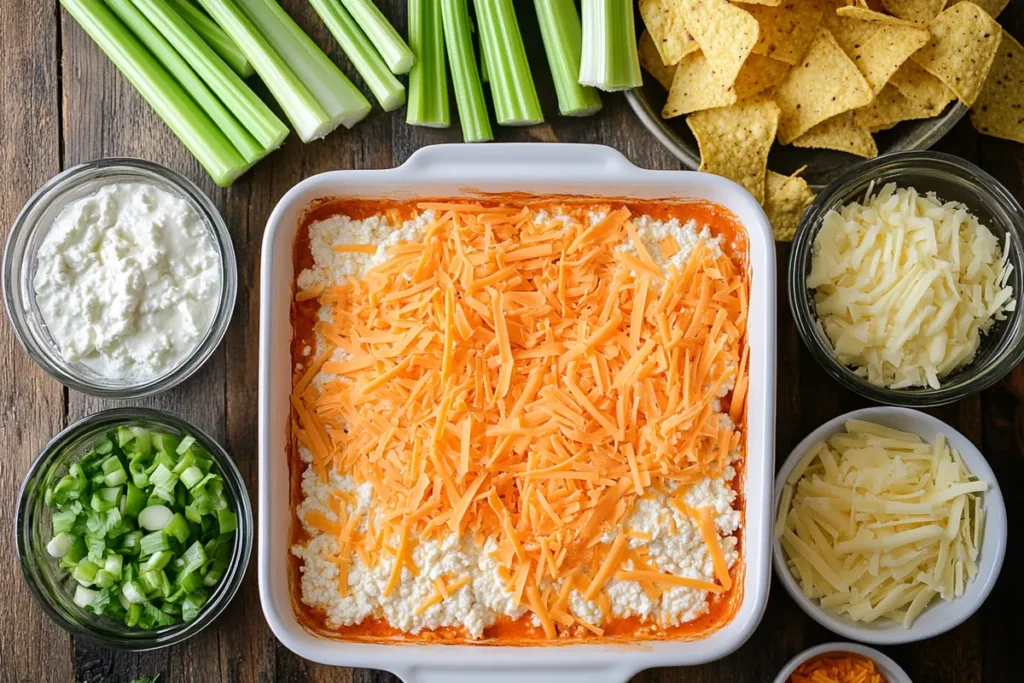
(518, 381)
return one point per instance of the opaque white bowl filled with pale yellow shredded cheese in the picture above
(890, 527)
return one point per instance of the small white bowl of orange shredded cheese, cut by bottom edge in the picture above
(842, 663)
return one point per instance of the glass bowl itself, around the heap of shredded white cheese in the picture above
(951, 179)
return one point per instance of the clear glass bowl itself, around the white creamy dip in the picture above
(28, 234)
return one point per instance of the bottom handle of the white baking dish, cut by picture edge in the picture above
(442, 674)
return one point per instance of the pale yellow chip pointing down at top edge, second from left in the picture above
(726, 33)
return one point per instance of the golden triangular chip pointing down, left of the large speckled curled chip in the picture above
(878, 49)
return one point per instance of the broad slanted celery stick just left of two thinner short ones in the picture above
(343, 101)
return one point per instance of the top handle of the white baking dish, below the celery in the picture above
(556, 160)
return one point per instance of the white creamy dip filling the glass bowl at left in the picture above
(129, 281)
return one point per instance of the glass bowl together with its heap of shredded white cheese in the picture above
(905, 280)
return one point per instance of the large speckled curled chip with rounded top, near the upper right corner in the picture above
(964, 42)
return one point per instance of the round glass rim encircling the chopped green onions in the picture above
(221, 597)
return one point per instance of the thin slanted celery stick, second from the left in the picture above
(247, 146)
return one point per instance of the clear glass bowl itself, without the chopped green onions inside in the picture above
(50, 583)
